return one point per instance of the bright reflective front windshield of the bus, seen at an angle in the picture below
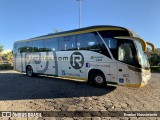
(142, 57)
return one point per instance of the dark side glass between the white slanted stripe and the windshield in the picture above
(122, 50)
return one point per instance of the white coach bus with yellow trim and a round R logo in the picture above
(97, 54)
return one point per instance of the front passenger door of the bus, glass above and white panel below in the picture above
(126, 58)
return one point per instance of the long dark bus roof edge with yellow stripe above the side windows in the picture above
(77, 31)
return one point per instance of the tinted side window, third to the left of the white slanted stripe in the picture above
(51, 44)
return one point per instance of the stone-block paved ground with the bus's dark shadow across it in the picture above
(21, 93)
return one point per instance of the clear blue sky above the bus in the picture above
(24, 19)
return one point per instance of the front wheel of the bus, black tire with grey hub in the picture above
(98, 79)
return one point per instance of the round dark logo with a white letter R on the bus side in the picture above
(77, 60)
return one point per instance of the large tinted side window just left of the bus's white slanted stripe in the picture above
(88, 41)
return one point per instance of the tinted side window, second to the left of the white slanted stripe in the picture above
(67, 43)
